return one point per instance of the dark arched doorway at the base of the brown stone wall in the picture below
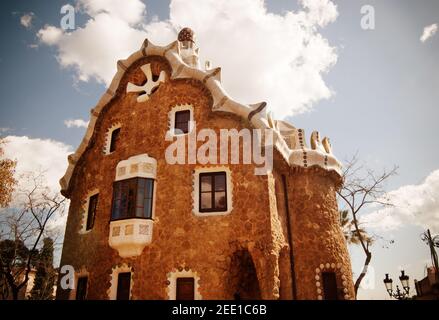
(243, 281)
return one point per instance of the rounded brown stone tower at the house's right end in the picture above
(318, 242)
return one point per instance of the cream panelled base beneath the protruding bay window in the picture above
(130, 236)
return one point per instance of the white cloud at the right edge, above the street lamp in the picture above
(413, 204)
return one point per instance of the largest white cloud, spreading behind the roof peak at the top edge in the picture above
(278, 58)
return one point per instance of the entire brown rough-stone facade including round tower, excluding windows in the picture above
(272, 245)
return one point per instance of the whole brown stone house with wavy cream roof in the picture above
(140, 227)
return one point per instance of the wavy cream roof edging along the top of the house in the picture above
(288, 140)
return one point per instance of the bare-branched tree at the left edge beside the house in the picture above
(23, 225)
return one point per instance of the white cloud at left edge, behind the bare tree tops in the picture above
(38, 155)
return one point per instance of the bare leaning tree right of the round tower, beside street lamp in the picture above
(362, 188)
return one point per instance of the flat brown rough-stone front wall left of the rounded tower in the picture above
(180, 239)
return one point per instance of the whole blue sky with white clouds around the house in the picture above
(372, 91)
